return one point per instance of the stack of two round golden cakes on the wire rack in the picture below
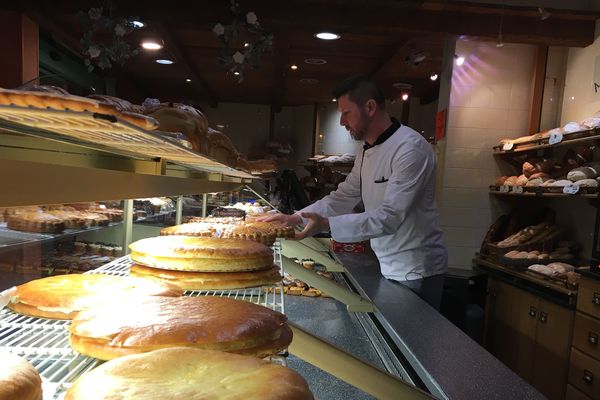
(202, 263)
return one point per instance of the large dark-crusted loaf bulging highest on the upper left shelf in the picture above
(176, 117)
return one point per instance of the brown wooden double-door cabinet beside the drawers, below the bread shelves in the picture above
(531, 335)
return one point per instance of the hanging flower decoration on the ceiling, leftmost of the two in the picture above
(111, 48)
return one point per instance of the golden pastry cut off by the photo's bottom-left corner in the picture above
(19, 380)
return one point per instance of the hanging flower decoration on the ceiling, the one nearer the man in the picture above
(236, 55)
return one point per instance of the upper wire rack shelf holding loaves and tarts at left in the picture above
(107, 133)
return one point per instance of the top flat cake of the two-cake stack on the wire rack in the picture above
(188, 253)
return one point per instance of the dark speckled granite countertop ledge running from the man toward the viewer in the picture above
(450, 363)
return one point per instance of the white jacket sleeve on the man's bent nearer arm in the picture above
(412, 170)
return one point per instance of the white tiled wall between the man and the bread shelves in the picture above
(489, 100)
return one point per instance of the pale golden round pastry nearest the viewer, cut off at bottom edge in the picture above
(192, 374)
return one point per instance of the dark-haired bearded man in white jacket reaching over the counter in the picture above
(394, 176)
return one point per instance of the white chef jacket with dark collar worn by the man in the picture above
(396, 182)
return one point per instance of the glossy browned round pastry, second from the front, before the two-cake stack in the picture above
(152, 323)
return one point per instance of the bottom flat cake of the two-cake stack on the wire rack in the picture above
(189, 280)
